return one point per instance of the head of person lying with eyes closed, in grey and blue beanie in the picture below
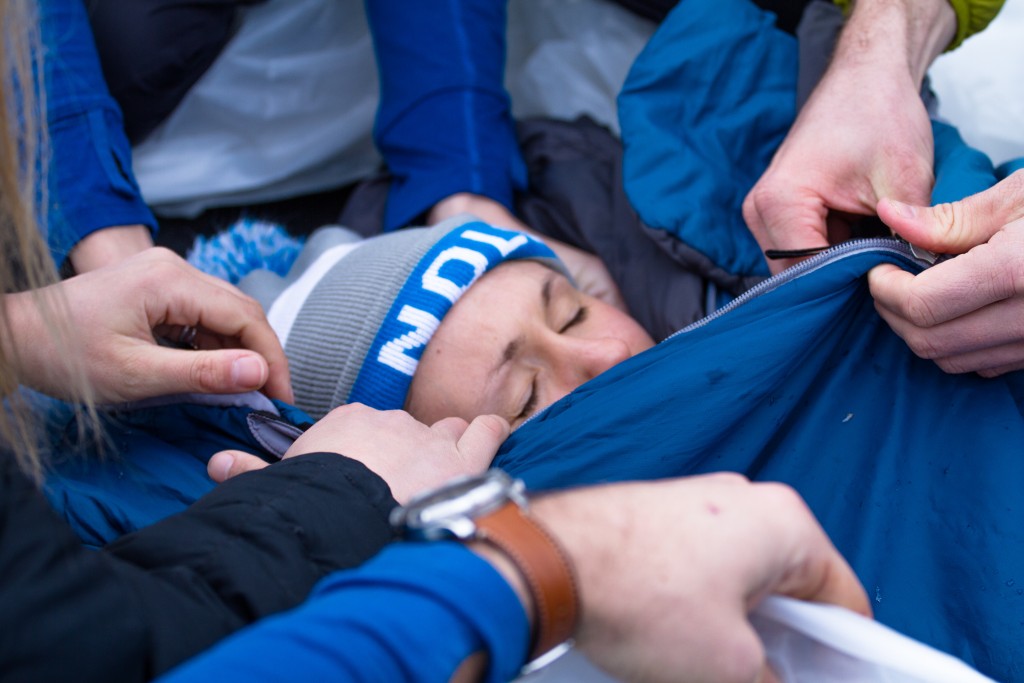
(458, 320)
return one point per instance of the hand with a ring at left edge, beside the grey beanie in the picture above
(114, 315)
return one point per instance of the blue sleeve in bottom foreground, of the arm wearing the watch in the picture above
(413, 614)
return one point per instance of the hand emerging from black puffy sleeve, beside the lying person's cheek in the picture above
(407, 454)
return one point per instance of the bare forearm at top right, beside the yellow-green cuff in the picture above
(897, 34)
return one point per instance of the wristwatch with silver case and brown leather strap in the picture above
(493, 508)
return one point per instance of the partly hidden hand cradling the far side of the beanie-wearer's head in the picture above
(588, 271)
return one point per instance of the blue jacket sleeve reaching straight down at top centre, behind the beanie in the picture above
(445, 122)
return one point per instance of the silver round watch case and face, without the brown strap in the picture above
(450, 511)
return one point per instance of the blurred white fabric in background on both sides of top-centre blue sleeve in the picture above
(288, 109)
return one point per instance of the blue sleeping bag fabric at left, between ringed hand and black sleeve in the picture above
(150, 465)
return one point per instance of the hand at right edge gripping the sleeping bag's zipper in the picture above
(966, 314)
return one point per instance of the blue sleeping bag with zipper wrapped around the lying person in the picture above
(913, 473)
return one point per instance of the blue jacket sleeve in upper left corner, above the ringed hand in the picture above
(91, 181)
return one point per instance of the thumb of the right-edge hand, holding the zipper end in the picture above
(956, 228)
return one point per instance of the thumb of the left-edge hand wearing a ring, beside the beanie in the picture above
(226, 371)
